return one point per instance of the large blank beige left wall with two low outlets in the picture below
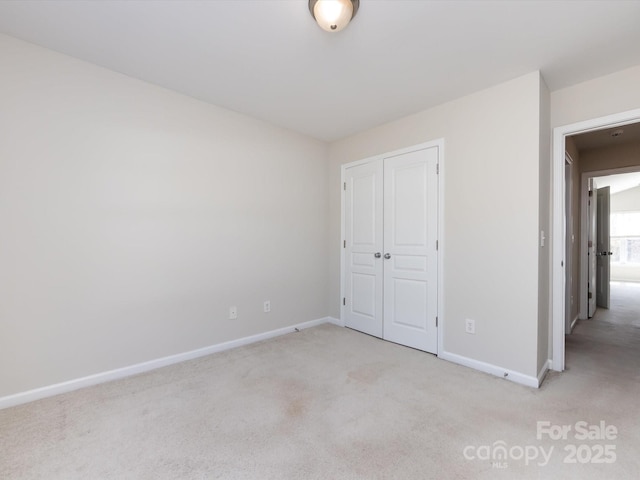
(134, 217)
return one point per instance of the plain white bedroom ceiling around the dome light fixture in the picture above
(268, 59)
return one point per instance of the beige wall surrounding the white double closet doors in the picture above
(491, 215)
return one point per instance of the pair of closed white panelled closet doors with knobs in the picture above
(391, 266)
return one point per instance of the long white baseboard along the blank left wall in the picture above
(75, 384)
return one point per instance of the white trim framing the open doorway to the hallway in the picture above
(559, 223)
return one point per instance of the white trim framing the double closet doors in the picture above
(440, 143)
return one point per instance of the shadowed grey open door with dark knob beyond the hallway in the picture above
(603, 264)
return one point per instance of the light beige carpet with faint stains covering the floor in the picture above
(329, 403)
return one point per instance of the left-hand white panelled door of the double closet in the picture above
(363, 265)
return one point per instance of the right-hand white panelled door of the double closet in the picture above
(410, 251)
